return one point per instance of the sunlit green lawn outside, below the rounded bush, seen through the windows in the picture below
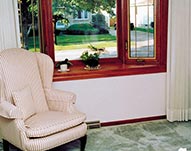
(67, 42)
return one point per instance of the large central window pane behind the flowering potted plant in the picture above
(82, 27)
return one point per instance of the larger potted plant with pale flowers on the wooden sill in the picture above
(91, 57)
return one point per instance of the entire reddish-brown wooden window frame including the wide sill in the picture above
(111, 66)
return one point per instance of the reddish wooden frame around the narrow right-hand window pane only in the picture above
(161, 18)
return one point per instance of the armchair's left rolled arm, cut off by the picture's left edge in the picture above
(10, 111)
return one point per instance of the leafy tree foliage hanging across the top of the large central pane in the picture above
(61, 8)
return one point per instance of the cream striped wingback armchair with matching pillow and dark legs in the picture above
(33, 115)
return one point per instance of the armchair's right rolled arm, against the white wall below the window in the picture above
(59, 100)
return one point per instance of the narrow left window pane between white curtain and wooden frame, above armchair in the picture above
(28, 21)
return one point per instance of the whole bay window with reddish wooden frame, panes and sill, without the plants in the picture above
(135, 35)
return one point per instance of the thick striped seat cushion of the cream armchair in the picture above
(51, 122)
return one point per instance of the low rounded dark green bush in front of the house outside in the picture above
(82, 29)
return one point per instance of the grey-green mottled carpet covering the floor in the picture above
(146, 136)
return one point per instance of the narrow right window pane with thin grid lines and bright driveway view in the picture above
(141, 29)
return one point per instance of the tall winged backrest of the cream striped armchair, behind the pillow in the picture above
(20, 68)
